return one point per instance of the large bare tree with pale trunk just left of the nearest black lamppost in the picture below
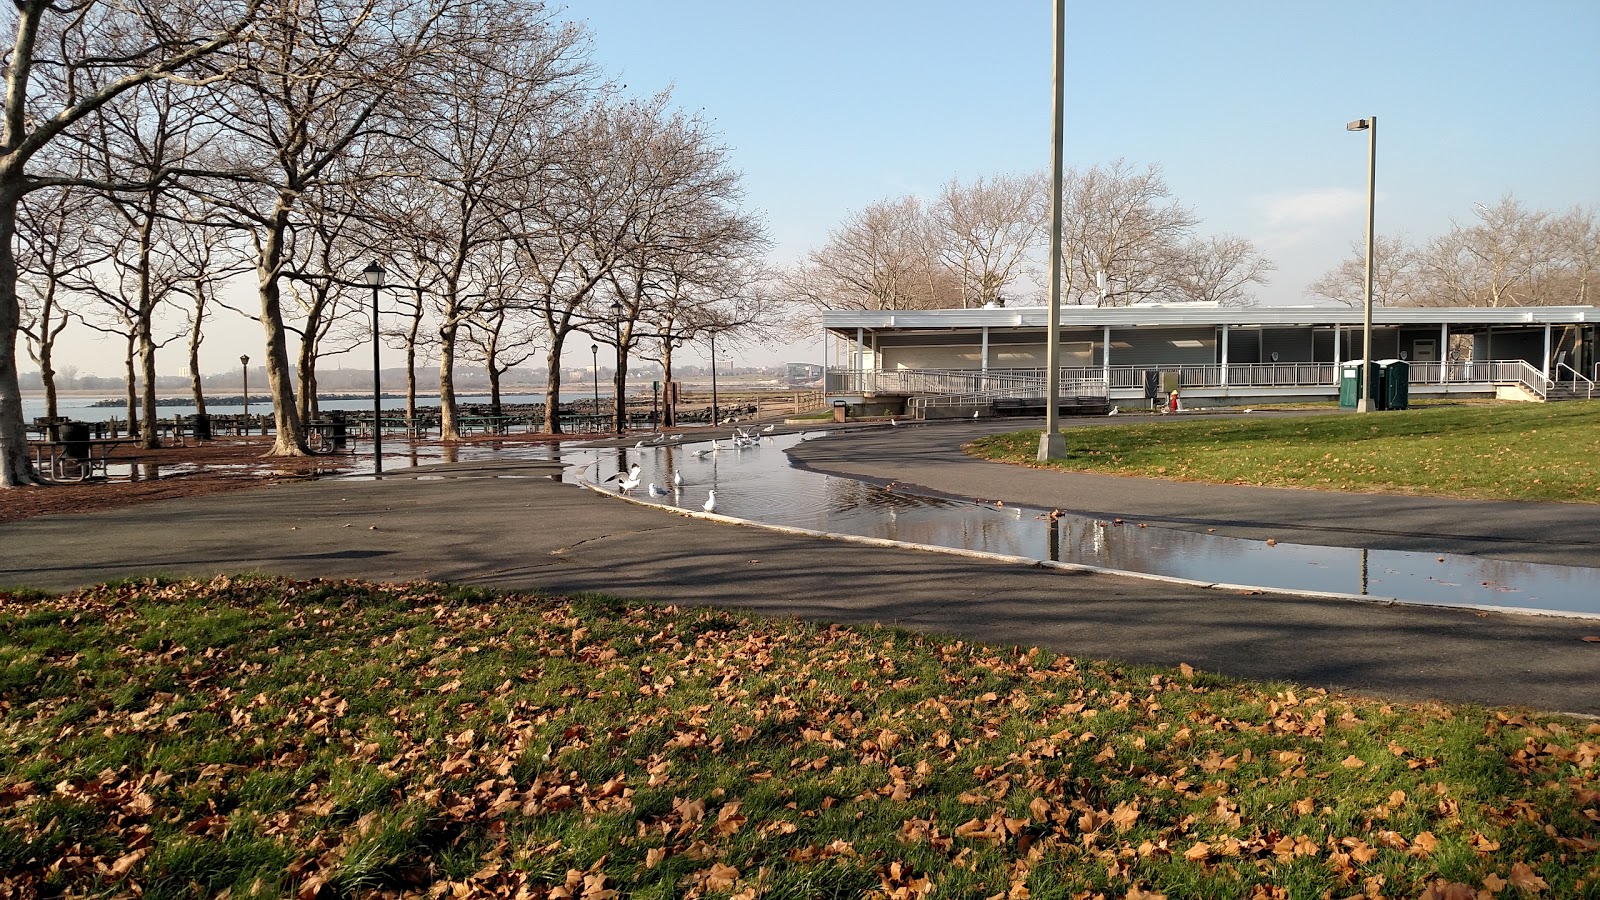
(305, 106)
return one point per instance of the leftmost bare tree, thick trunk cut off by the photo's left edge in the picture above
(46, 100)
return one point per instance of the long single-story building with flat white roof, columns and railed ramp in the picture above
(945, 363)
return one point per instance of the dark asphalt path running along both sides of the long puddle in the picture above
(513, 524)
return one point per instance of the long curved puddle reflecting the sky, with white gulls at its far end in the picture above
(759, 484)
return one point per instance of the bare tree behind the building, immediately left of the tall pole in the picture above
(986, 230)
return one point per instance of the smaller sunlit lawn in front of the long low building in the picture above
(1516, 452)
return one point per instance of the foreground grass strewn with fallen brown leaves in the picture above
(266, 737)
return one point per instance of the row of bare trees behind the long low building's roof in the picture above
(1127, 241)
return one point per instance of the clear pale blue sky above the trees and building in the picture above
(828, 106)
